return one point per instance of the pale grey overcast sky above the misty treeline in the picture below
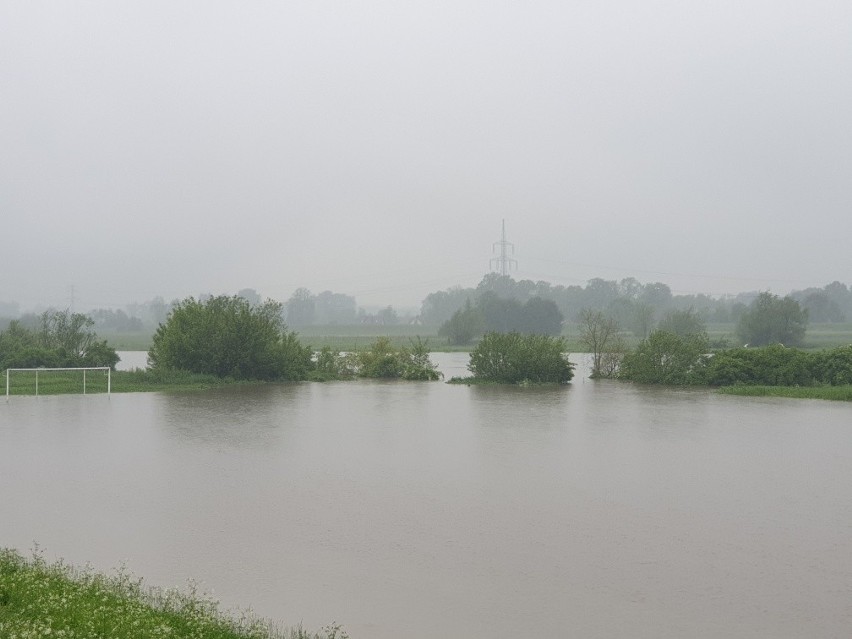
(373, 148)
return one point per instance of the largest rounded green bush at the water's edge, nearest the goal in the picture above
(228, 337)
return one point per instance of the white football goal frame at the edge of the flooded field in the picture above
(55, 381)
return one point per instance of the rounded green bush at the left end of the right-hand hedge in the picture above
(666, 358)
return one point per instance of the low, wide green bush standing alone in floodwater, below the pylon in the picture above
(512, 358)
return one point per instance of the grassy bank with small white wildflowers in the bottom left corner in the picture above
(40, 600)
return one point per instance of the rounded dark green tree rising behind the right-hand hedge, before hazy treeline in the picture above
(773, 320)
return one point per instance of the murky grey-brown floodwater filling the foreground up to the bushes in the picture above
(422, 510)
